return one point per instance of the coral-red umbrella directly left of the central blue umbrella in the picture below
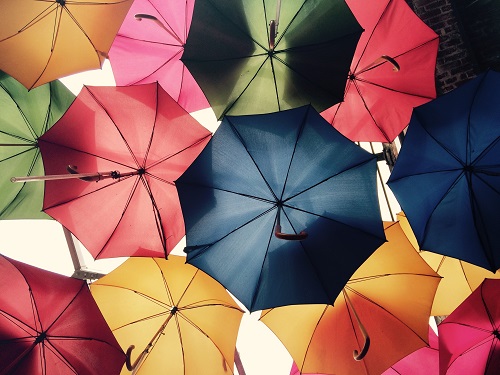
(133, 141)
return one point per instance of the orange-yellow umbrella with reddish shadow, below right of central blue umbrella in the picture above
(380, 316)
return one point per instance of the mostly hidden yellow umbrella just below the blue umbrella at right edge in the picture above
(460, 278)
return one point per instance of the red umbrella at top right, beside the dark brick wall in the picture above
(392, 71)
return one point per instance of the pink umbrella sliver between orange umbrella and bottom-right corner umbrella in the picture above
(424, 361)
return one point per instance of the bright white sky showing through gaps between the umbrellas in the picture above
(41, 243)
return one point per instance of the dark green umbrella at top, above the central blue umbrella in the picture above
(246, 64)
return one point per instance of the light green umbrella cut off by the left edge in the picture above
(25, 116)
